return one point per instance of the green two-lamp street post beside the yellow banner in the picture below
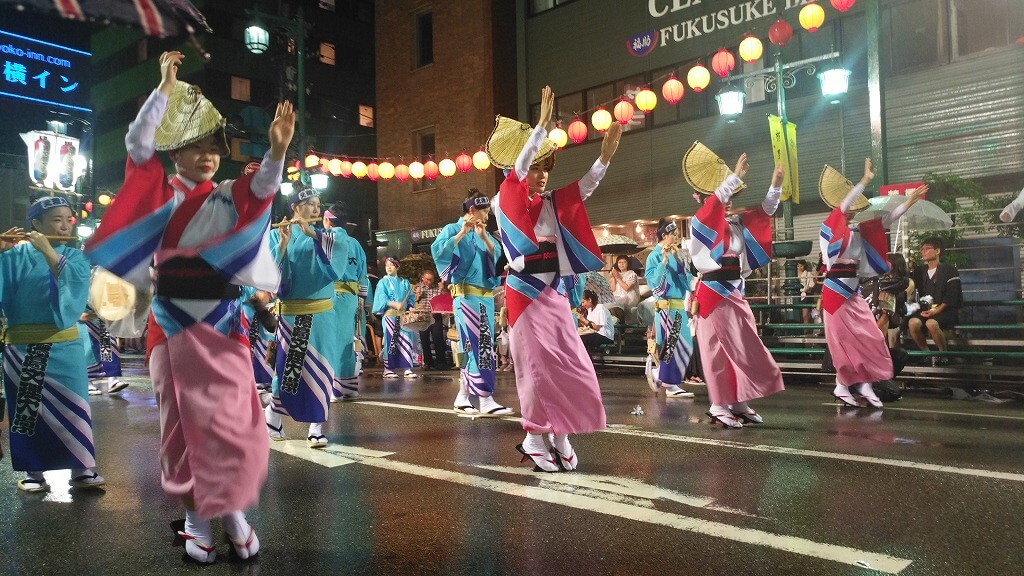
(834, 80)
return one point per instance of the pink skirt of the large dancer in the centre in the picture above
(559, 390)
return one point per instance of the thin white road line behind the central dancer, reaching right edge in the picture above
(630, 431)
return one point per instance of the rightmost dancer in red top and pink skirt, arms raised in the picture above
(860, 353)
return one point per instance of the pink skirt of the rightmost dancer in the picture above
(858, 347)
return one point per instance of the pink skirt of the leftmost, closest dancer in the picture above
(214, 443)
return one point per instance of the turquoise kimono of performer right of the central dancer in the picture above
(670, 283)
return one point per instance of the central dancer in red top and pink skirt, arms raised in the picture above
(547, 237)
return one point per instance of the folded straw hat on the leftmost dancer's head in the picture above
(190, 118)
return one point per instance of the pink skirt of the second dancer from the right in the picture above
(738, 366)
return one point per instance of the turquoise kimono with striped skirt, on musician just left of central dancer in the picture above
(472, 271)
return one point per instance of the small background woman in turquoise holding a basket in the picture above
(393, 297)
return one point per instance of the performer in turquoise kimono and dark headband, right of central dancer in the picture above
(666, 272)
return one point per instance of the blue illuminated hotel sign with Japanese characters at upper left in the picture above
(44, 72)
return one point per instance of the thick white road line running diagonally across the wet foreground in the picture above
(832, 553)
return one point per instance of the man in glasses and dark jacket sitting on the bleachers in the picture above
(942, 282)
